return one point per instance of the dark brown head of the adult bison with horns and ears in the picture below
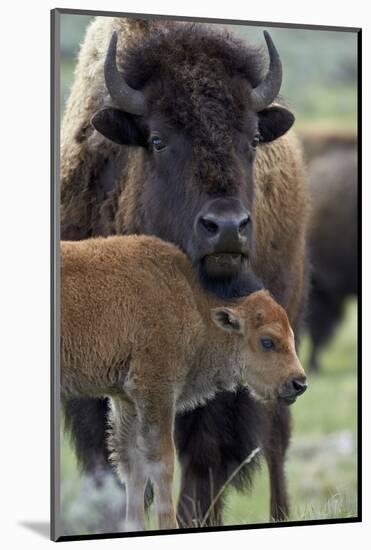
(196, 103)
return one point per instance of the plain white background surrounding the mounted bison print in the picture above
(24, 268)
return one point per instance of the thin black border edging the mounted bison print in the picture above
(55, 275)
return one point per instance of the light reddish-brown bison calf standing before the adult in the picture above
(137, 327)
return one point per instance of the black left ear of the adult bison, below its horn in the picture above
(119, 127)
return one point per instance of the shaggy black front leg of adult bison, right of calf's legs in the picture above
(212, 442)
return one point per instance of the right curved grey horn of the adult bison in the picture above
(267, 90)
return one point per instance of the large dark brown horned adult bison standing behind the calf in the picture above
(170, 130)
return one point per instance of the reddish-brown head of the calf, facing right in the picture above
(270, 366)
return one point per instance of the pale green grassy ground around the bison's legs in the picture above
(321, 465)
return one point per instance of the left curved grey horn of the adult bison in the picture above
(125, 98)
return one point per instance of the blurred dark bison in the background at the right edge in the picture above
(332, 239)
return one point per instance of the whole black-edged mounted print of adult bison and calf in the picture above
(206, 252)
